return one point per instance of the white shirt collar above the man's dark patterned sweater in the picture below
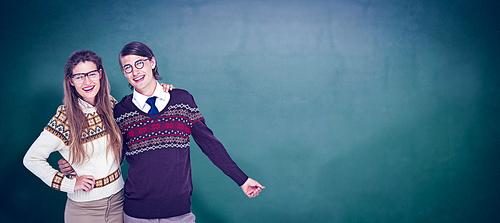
(162, 99)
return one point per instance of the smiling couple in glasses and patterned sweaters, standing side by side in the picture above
(151, 127)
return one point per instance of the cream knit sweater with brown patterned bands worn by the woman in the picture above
(55, 137)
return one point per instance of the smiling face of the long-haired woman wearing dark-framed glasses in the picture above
(86, 81)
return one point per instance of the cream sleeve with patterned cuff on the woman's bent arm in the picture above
(35, 161)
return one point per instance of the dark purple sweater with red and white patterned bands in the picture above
(156, 146)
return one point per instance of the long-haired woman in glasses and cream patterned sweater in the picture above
(84, 132)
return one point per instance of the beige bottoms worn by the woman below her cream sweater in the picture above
(106, 210)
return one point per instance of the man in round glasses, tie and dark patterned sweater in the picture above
(156, 126)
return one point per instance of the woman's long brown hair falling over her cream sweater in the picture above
(78, 121)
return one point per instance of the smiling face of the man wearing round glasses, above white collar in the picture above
(141, 78)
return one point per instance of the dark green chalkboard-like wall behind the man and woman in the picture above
(347, 111)
